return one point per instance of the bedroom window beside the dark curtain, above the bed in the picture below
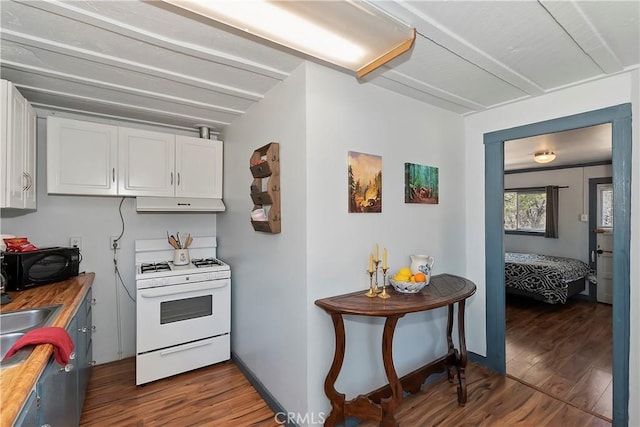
(525, 211)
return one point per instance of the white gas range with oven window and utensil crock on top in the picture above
(183, 313)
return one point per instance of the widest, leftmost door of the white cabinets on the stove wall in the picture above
(82, 157)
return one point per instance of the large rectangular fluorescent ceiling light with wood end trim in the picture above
(351, 34)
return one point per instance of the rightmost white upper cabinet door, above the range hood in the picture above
(198, 167)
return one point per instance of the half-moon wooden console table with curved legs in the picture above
(380, 405)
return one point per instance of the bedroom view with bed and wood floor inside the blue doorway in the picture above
(558, 342)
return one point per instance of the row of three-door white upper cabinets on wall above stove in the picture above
(94, 159)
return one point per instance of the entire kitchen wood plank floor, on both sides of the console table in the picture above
(220, 396)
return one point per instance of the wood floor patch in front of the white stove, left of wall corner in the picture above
(217, 395)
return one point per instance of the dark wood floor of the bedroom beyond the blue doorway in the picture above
(563, 350)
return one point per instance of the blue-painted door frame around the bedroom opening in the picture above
(620, 118)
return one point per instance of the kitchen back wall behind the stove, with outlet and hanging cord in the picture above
(95, 219)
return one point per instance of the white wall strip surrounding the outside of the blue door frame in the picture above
(607, 92)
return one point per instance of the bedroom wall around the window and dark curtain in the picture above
(573, 235)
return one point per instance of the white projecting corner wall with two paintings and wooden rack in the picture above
(318, 115)
